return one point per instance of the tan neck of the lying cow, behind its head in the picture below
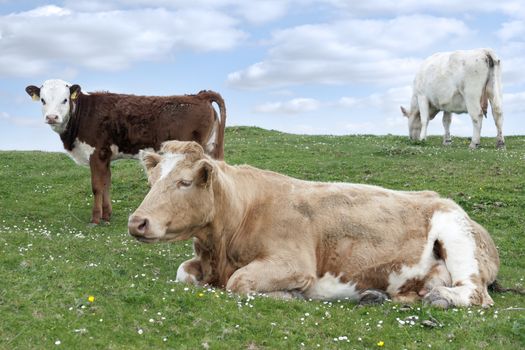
(221, 242)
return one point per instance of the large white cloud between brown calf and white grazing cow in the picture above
(350, 51)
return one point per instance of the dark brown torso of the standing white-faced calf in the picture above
(129, 123)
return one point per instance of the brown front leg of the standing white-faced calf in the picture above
(100, 182)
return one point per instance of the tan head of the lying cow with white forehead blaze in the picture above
(181, 200)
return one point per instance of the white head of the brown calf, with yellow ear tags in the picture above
(57, 98)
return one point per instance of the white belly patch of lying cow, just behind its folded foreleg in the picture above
(330, 287)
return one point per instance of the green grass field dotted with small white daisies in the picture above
(51, 262)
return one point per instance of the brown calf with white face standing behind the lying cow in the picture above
(100, 127)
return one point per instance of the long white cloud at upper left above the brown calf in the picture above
(51, 38)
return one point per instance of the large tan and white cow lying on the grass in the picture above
(259, 231)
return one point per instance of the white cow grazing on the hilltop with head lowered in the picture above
(456, 82)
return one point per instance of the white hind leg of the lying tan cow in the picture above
(454, 230)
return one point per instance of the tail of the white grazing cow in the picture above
(492, 90)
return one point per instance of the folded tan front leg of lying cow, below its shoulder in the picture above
(270, 276)
